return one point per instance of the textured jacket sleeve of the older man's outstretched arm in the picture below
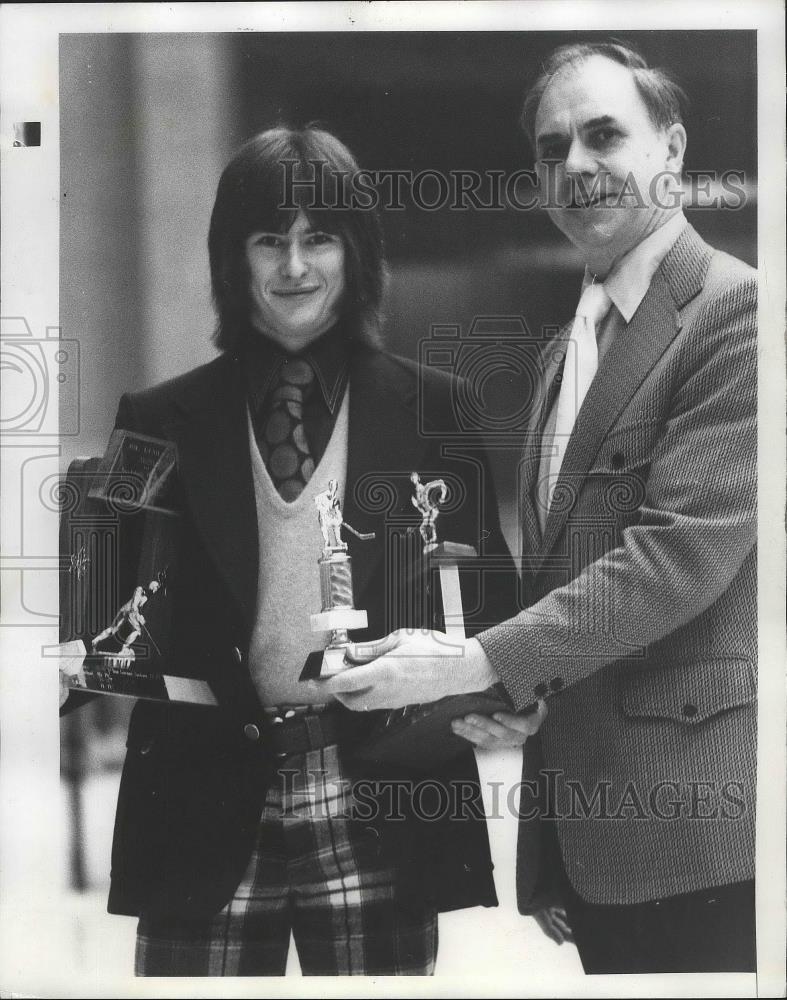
(696, 525)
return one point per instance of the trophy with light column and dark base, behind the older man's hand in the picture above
(420, 735)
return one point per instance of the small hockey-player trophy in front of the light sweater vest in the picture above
(338, 613)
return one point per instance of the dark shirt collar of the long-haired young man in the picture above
(261, 358)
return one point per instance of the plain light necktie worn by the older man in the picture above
(579, 370)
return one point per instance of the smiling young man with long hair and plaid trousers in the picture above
(239, 824)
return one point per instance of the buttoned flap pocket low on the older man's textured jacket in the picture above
(689, 694)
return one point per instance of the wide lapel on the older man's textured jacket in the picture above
(630, 359)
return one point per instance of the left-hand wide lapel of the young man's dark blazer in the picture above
(214, 466)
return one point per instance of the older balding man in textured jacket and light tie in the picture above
(639, 511)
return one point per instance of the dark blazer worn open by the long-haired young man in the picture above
(193, 785)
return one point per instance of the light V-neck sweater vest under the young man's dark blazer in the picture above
(288, 583)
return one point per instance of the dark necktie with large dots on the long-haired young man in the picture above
(282, 438)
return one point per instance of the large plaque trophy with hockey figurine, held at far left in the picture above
(130, 648)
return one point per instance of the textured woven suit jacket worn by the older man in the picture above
(642, 628)
